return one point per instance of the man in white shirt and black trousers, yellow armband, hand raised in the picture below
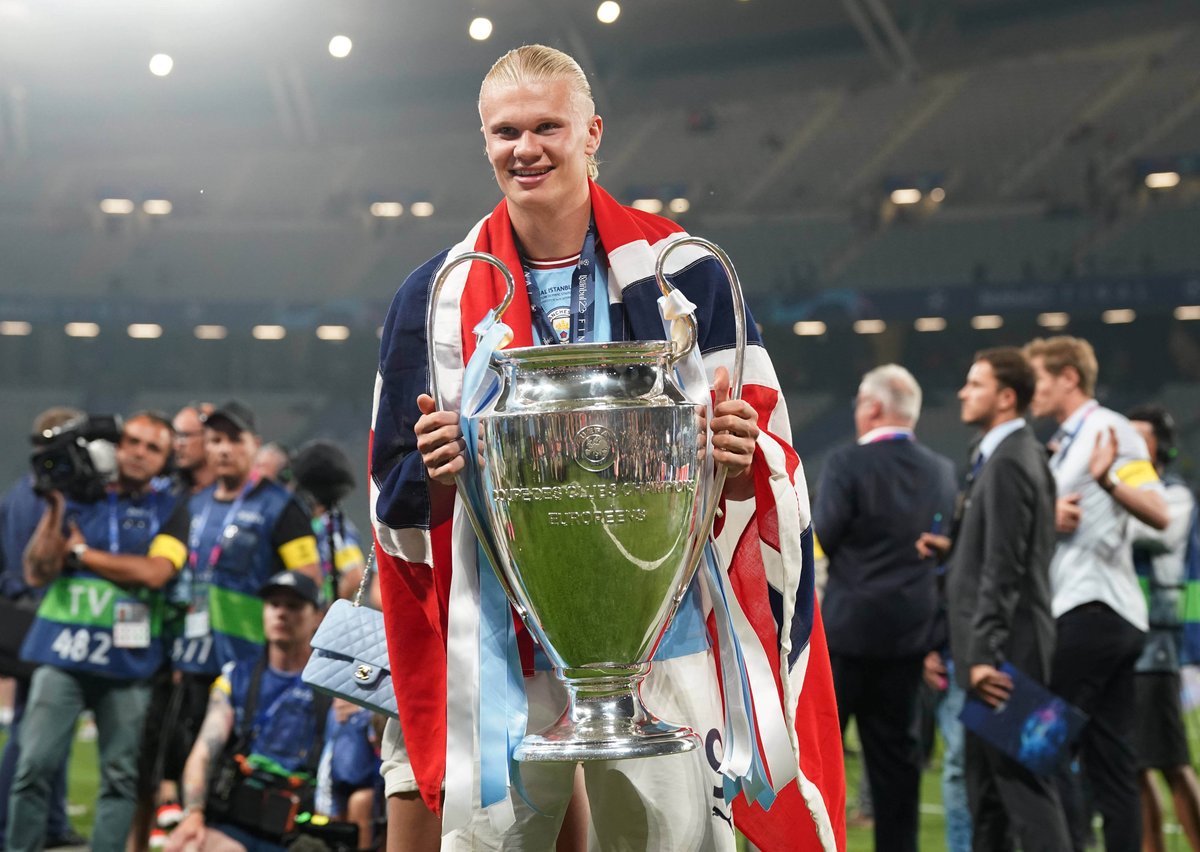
(1105, 477)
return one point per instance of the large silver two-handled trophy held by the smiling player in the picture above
(593, 500)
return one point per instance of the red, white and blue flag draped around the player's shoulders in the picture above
(777, 682)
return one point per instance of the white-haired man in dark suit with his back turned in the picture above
(877, 497)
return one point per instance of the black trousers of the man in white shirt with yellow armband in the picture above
(1094, 665)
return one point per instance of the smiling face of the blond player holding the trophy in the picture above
(538, 137)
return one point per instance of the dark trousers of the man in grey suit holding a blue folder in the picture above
(1010, 802)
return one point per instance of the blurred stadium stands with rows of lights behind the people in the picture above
(214, 199)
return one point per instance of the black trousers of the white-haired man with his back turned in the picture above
(881, 695)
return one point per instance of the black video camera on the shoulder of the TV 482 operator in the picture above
(79, 458)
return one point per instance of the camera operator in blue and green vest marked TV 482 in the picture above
(97, 637)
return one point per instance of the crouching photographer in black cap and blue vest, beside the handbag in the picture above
(262, 736)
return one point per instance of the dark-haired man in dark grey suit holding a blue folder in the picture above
(999, 595)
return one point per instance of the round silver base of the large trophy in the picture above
(609, 727)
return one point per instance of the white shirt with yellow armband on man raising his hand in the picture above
(1096, 562)
